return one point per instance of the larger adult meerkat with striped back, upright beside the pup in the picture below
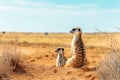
(78, 56)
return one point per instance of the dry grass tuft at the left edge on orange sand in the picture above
(9, 60)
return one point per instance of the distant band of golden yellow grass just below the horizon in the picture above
(57, 39)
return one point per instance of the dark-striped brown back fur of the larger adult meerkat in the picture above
(79, 59)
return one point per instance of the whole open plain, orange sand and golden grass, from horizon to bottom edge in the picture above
(39, 57)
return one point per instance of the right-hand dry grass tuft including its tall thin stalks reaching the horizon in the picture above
(109, 67)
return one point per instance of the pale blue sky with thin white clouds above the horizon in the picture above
(59, 15)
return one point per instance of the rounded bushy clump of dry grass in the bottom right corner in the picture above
(109, 68)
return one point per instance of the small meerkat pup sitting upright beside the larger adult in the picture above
(61, 59)
